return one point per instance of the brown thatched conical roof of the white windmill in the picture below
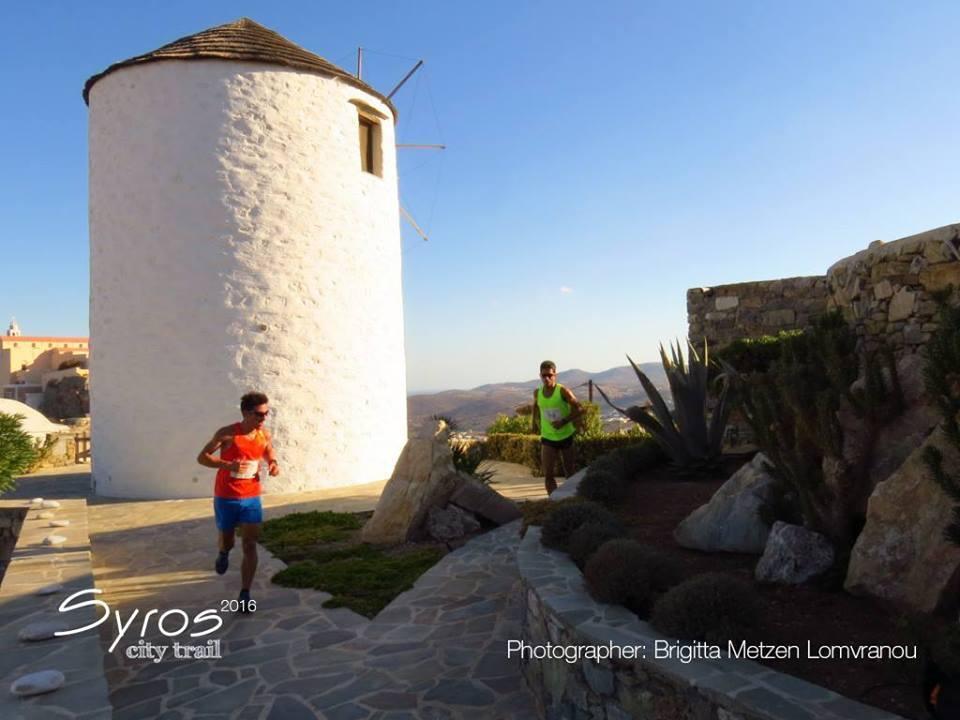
(240, 40)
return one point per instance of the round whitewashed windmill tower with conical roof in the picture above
(244, 232)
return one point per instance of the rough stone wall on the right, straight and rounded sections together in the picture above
(884, 292)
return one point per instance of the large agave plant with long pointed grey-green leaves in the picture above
(691, 439)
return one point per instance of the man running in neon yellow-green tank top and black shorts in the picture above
(555, 410)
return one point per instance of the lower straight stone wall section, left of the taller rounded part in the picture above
(727, 312)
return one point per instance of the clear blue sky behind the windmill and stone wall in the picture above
(602, 158)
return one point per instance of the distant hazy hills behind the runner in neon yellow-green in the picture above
(475, 409)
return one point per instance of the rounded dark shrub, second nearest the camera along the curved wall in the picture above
(625, 572)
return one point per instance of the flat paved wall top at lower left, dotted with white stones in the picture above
(79, 657)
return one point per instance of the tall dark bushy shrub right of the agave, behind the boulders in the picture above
(793, 412)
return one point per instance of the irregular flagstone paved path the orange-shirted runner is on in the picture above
(438, 651)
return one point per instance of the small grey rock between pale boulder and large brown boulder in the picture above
(793, 555)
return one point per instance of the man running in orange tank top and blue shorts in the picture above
(236, 492)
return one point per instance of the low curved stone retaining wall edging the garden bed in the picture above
(558, 610)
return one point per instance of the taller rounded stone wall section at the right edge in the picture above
(885, 291)
